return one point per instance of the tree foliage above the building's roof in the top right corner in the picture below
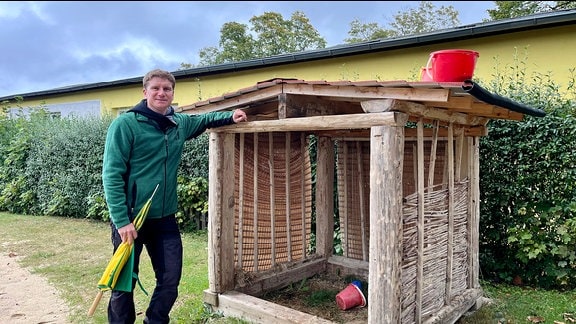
(513, 9)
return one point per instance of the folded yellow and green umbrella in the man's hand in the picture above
(122, 255)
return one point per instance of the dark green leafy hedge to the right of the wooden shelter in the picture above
(527, 185)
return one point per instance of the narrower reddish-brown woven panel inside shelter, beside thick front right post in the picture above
(353, 172)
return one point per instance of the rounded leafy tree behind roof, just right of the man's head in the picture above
(268, 35)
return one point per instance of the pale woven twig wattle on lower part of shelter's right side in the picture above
(435, 253)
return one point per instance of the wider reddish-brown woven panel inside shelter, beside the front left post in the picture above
(273, 223)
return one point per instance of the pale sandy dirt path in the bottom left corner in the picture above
(26, 297)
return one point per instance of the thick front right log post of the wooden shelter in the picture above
(386, 163)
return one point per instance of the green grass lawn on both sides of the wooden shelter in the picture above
(73, 253)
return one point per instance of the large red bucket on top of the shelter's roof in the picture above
(455, 65)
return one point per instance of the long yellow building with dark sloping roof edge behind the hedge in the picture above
(542, 43)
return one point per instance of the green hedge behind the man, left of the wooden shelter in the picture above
(52, 166)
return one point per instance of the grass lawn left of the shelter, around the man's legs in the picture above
(72, 254)
